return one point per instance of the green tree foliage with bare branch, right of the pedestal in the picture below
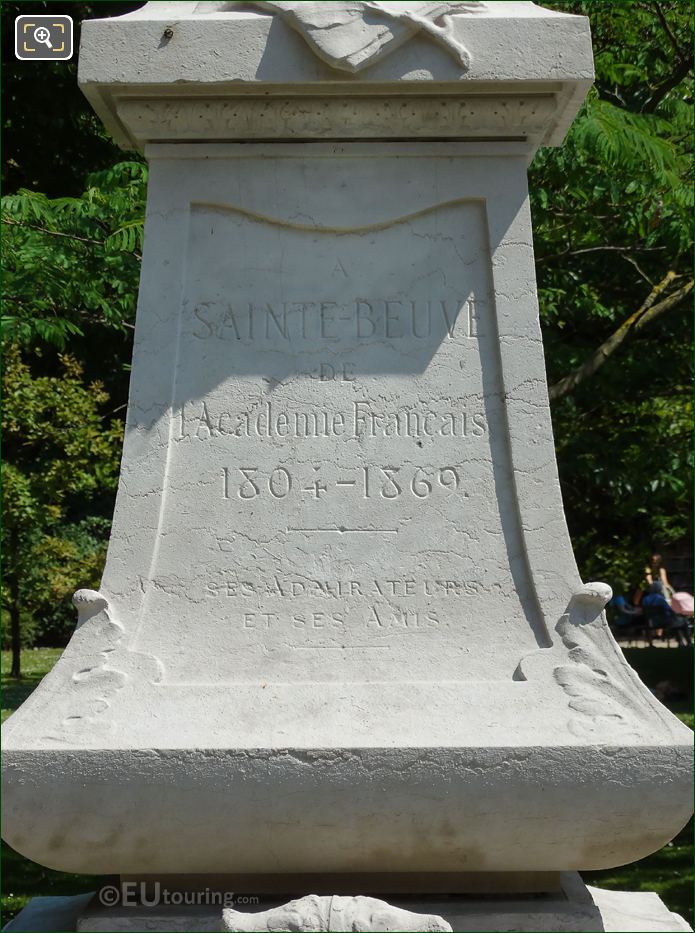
(613, 229)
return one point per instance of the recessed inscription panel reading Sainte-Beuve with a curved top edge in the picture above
(338, 468)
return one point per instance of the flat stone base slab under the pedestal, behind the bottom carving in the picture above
(576, 908)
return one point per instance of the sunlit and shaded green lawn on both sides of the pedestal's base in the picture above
(668, 872)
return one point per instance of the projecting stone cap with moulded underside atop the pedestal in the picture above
(195, 71)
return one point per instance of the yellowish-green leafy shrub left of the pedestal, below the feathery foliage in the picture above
(59, 457)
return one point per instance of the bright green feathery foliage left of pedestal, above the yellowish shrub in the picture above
(72, 264)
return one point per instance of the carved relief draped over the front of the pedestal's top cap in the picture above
(352, 36)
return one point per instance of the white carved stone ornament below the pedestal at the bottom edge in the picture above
(316, 913)
